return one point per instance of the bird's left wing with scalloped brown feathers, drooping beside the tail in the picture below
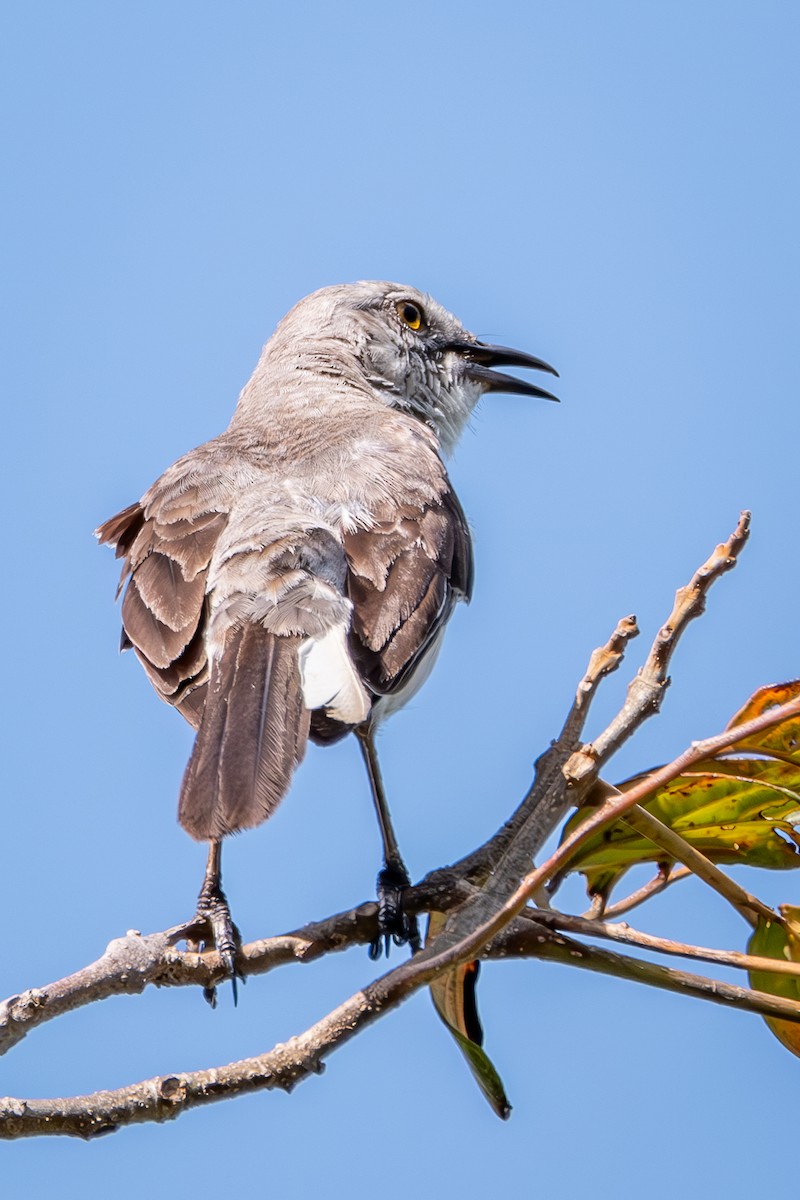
(164, 609)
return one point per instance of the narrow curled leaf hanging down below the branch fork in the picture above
(455, 1001)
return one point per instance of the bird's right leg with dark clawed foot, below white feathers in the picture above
(394, 923)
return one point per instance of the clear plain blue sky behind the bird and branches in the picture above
(612, 187)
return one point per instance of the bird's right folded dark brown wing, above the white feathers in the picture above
(406, 574)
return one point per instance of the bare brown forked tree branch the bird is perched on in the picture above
(485, 897)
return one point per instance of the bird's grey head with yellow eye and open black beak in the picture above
(411, 352)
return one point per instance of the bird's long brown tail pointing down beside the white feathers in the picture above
(252, 736)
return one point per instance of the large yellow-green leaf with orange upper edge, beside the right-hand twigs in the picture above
(733, 809)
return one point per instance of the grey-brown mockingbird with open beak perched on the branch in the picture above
(292, 579)
